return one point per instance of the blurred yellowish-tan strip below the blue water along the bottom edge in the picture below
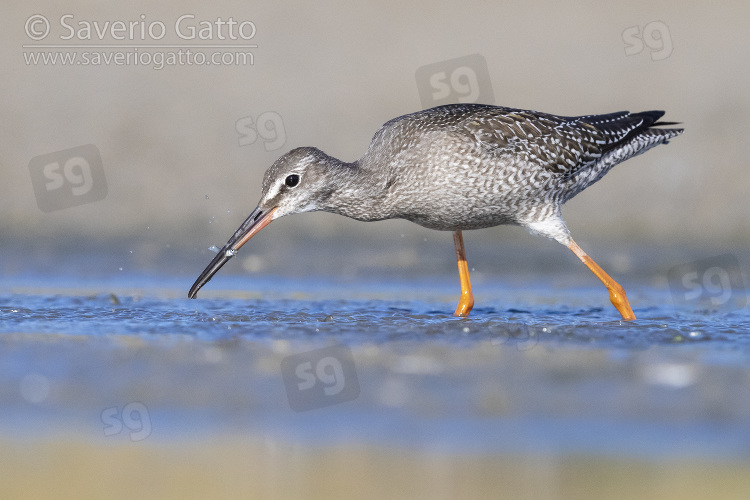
(242, 467)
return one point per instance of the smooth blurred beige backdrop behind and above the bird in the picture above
(333, 72)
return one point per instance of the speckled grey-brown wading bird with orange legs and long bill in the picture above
(460, 167)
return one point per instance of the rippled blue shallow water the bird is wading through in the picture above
(534, 369)
